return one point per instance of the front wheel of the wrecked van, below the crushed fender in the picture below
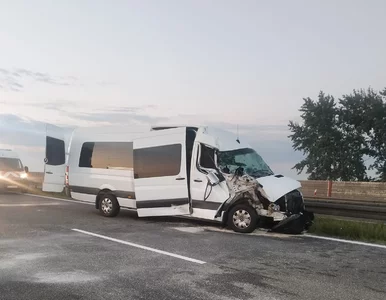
(242, 218)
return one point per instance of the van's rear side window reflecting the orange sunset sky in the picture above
(106, 155)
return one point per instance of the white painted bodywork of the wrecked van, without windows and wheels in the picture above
(183, 193)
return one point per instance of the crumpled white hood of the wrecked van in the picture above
(276, 186)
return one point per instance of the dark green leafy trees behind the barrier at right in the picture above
(342, 139)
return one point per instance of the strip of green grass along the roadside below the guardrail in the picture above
(349, 229)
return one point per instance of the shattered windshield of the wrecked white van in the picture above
(248, 159)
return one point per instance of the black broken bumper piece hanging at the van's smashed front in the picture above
(294, 224)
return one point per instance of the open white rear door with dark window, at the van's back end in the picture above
(55, 160)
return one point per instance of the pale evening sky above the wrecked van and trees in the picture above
(223, 63)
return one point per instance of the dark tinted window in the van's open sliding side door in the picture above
(157, 161)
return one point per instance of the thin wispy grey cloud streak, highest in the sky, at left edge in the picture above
(14, 79)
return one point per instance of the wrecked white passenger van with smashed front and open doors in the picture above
(200, 172)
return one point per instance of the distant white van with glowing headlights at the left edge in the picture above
(13, 175)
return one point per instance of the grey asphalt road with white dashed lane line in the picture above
(42, 257)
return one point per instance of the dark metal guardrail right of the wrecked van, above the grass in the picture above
(371, 210)
